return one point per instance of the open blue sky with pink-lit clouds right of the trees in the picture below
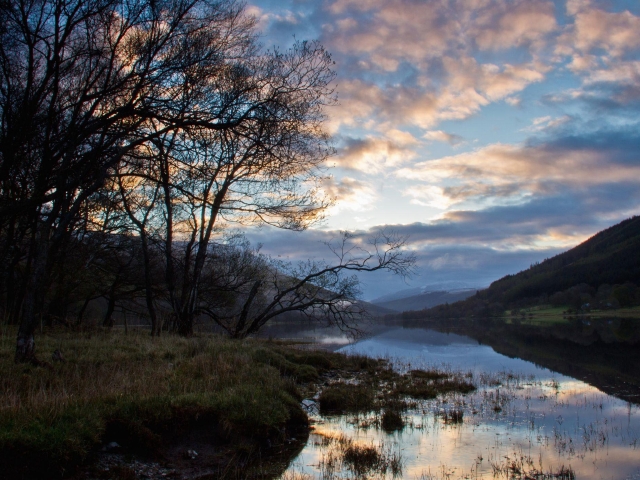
(492, 133)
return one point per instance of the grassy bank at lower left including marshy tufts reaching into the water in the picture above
(235, 402)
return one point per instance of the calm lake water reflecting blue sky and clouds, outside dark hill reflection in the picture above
(522, 419)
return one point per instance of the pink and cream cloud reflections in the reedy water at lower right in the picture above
(567, 429)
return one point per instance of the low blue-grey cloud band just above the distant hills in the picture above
(478, 247)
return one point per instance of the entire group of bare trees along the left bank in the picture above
(132, 135)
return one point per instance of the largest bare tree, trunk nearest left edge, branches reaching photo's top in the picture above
(82, 84)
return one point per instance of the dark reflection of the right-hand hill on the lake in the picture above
(601, 351)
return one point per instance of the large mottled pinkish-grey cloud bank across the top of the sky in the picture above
(417, 64)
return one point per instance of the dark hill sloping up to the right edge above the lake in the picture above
(590, 270)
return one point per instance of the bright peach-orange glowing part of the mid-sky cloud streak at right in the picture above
(503, 174)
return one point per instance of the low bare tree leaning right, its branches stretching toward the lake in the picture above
(322, 291)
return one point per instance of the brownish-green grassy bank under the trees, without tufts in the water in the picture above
(145, 393)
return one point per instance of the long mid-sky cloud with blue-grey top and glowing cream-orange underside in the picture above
(505, 173)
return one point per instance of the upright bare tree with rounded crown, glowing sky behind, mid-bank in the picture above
(264, 170)
